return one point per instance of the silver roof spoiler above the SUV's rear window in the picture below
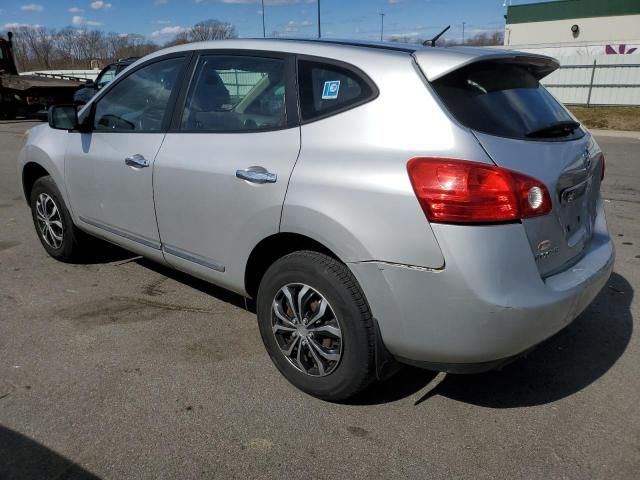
(436, 63)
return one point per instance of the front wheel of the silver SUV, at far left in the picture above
(56, 231)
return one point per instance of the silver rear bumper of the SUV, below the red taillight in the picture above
(487, 305)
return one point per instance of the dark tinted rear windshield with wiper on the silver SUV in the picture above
(505, 100)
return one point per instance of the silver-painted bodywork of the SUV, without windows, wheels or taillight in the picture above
(440, 293)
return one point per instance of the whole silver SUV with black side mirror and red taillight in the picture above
(381, 203)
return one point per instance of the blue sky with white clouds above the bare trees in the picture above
(160, 20)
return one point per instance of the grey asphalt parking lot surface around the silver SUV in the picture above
(120, 368)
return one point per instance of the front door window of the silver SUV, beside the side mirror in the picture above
(139, 102)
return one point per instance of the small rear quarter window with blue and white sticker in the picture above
(326, 89)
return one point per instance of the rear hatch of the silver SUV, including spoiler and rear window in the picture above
(522, 127)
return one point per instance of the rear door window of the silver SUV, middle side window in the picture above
(235, 94)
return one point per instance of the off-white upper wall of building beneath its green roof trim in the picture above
(618, 29)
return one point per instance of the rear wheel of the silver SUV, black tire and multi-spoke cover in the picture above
(316, 325)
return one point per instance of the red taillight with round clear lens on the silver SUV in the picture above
(460, 191)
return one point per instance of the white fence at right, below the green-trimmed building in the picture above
(597, 80)
